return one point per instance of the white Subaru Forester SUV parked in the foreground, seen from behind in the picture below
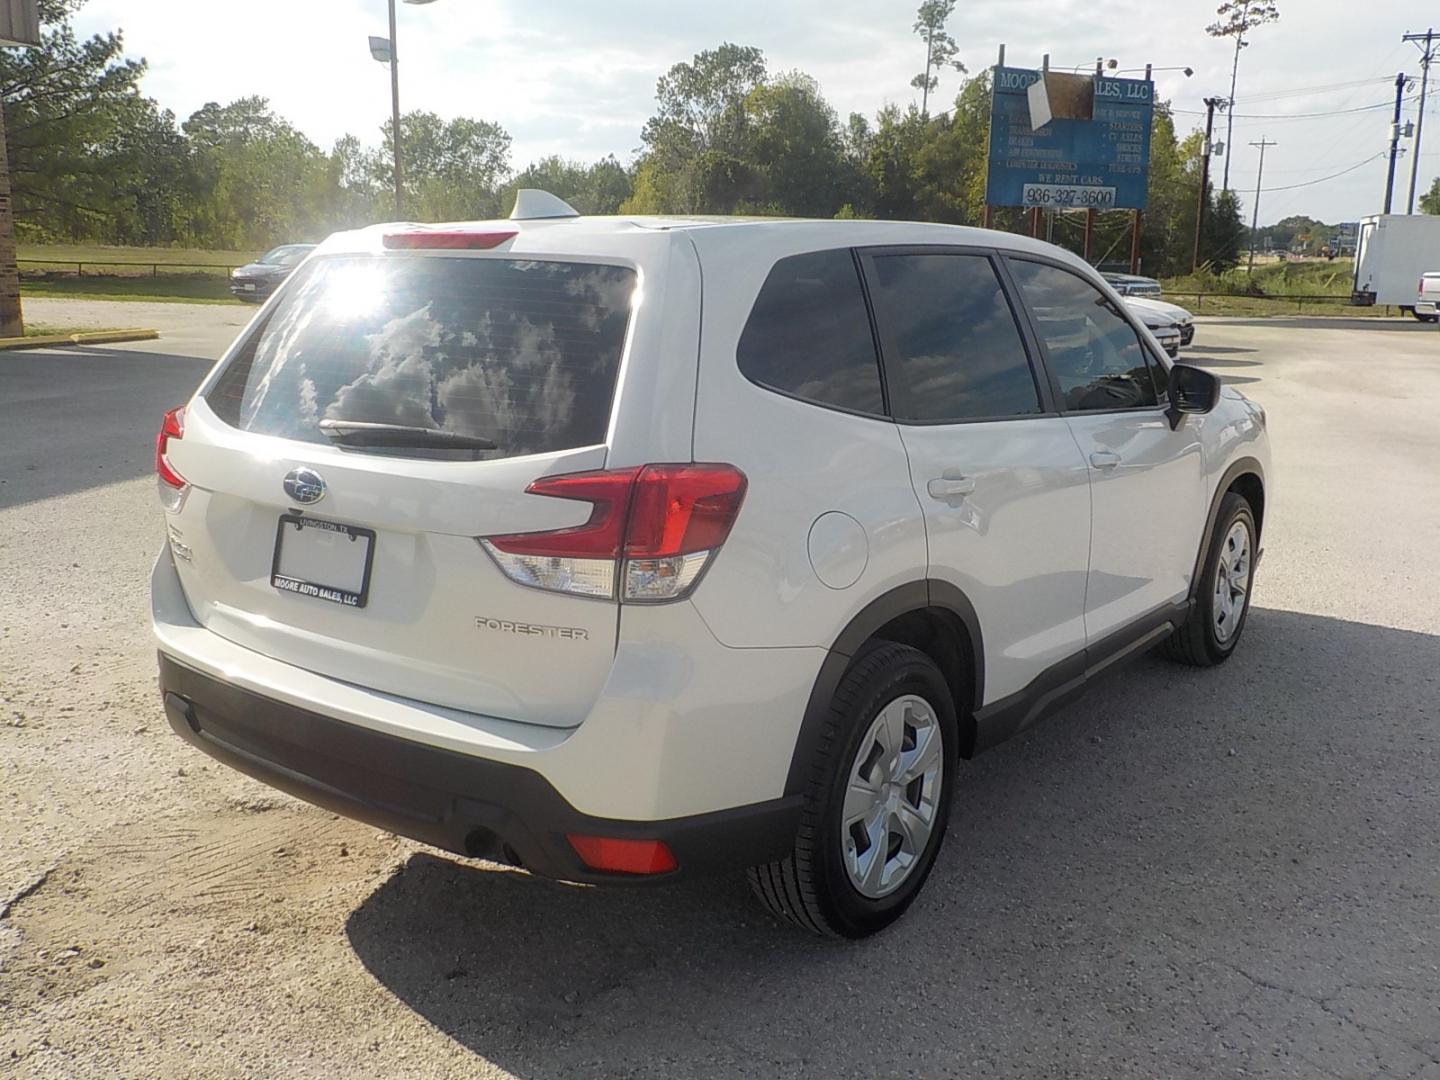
(623, 549)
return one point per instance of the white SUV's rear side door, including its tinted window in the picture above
(1003, 485)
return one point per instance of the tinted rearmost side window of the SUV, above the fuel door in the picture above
(810, 335)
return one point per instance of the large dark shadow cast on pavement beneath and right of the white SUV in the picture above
(1186, 873)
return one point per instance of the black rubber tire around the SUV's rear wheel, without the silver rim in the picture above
(811, 888)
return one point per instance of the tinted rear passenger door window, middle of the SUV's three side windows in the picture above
(953, 346)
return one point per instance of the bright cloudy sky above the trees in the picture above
(578, 77)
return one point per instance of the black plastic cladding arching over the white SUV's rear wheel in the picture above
(932, 617)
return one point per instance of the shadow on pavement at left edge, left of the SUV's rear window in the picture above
(80, 418)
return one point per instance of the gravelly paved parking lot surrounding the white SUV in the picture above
(1186, 875)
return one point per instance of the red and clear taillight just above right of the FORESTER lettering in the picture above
(652, 534)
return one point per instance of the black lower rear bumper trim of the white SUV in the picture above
(469, 806)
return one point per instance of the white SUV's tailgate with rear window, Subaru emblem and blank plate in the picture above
(364, 562)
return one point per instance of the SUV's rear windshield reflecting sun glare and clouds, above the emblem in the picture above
(522, 354)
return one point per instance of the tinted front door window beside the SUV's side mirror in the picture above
(1095, 354)
